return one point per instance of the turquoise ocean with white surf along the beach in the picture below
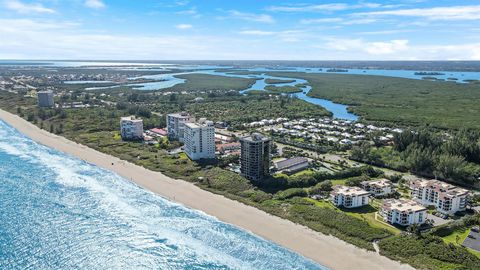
(59, 212)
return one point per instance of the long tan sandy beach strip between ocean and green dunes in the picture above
(323, 249)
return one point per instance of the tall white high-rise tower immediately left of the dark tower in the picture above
(199, 139)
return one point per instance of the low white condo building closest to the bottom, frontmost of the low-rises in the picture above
(403, 212)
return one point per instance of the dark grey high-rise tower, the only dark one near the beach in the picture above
(255, 156)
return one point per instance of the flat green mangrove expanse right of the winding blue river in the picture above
(398, 100)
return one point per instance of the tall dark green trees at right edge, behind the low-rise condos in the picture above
(454, 157)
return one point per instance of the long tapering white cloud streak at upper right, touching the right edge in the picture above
(452, 13)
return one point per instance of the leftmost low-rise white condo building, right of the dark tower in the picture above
(349, 197)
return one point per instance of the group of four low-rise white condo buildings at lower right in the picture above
(445, 198)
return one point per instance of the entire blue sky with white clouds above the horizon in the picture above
(240, 29)
